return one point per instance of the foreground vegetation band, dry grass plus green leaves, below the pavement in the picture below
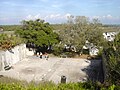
(13, 84)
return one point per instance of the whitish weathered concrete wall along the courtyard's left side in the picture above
(10, 57)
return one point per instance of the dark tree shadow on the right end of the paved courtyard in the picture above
(94, 71)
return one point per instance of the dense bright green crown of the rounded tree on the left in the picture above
(38, 32)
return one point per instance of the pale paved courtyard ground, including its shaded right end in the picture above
(36, 69)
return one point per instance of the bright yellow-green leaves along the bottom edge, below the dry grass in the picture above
(52, 86)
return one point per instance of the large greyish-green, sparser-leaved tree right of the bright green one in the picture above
(82, 29)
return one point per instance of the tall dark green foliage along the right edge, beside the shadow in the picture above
(113, 61)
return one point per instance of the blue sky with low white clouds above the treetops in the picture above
(56, 11)
